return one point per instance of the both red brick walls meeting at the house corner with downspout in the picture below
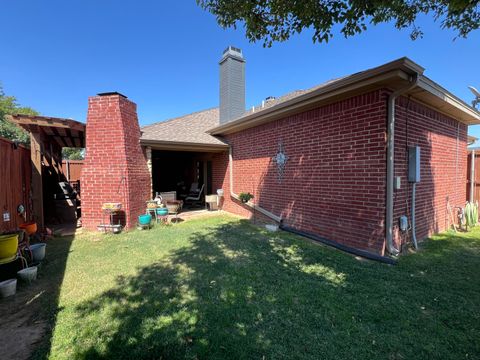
(334, 184)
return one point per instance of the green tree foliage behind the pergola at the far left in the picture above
(9, 106)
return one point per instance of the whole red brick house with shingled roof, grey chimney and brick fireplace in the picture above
(332, 160)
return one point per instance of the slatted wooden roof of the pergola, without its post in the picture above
(65, 132)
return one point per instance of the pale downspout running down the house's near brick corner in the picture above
(391, 163)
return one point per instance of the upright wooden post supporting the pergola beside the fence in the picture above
(37, 184)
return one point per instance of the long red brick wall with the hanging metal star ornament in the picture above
(334, 179)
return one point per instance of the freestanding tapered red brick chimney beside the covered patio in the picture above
(115, 166)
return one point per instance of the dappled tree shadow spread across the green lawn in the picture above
(238, 292)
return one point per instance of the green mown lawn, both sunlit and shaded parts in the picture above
(220, 288)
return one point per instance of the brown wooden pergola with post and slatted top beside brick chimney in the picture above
(48, 135)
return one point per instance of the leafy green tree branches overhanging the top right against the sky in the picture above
(277, 20)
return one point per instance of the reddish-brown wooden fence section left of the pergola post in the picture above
(15, 184)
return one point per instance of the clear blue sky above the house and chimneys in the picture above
(164, 56)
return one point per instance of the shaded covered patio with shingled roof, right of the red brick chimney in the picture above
(181, 158)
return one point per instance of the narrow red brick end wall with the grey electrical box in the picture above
(443, 150)
